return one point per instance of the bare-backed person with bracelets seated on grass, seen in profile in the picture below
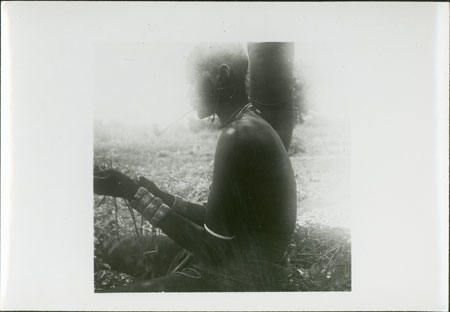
(236, 241)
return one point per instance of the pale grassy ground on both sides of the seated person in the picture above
(180, 161)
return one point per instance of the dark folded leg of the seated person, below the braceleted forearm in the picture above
(168, 266)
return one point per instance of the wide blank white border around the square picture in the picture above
(399, 139)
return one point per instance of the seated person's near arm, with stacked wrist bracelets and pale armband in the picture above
(212, 238)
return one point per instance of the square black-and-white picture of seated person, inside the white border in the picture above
(267, 216)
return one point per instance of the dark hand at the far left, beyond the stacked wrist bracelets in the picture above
(114, 183)
